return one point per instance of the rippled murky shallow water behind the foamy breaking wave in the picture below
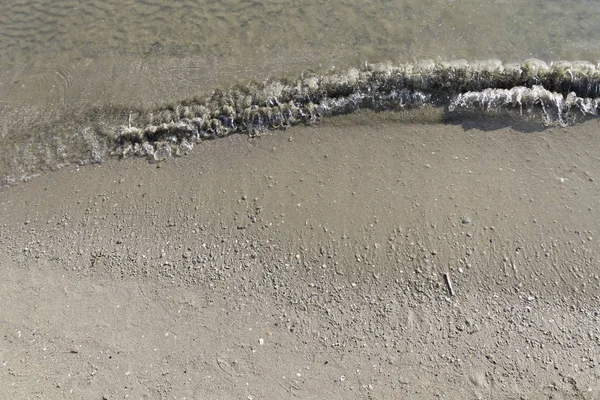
(67, 66)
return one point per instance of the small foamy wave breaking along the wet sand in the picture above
(557, 94)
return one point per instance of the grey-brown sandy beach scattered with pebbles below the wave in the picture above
(311, 264)
